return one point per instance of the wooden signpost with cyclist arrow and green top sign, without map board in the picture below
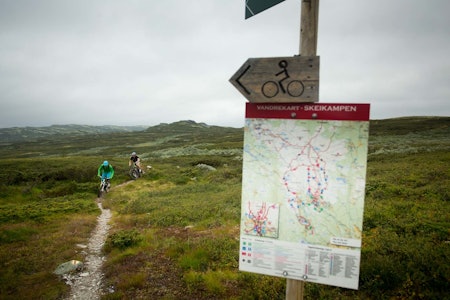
(284, 79)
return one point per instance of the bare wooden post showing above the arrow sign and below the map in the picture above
(309, 24)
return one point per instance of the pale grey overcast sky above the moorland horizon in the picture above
(145, 62)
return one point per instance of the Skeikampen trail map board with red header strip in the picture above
(304, 169)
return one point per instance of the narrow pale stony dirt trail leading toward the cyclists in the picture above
(87, 284)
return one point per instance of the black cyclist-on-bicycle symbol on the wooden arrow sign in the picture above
(294, 88)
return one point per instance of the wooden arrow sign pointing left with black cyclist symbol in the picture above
(279, 79)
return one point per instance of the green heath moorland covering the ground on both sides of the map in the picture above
(175, 231)
